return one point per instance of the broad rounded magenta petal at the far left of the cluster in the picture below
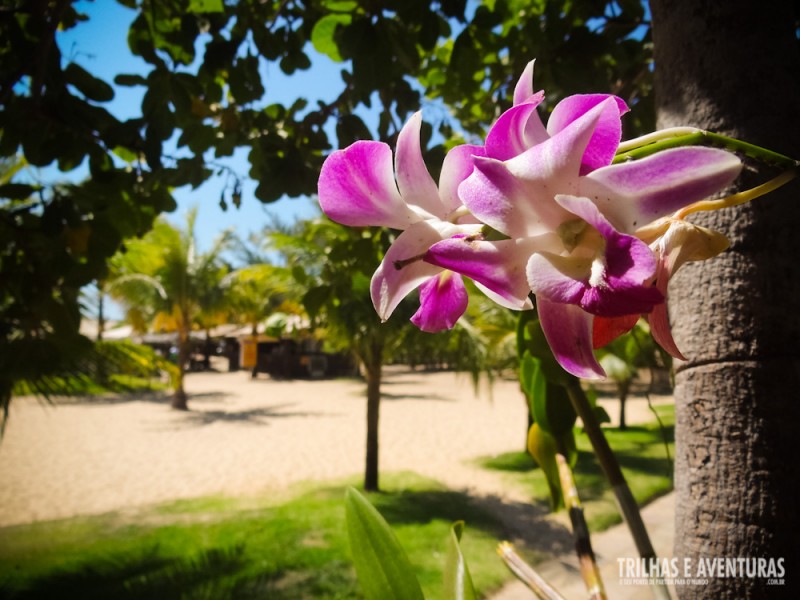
(357, 188)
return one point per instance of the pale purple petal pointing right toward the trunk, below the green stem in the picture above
(635, 193)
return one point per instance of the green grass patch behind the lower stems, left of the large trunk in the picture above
(641, 452)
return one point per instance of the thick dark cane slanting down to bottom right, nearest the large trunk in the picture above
(608, 462)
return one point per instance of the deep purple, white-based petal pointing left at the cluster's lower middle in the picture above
(498, 266)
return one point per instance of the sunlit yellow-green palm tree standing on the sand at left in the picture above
(163, 276)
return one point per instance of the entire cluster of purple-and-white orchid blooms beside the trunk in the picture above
(594, 243)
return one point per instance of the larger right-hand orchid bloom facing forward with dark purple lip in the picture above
(565, 184)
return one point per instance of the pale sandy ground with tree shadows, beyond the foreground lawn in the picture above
(245, 436)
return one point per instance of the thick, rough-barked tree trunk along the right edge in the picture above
(733, 67)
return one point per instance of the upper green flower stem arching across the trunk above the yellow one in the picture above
(683, 136)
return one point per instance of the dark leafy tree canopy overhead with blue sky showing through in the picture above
(203, 98)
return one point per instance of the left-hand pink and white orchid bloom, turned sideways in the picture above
(358, 187)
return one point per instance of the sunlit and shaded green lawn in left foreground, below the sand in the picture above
(220, 548)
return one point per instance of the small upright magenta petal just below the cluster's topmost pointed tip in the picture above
(517, 129)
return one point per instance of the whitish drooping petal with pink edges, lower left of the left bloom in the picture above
(402, 268)
